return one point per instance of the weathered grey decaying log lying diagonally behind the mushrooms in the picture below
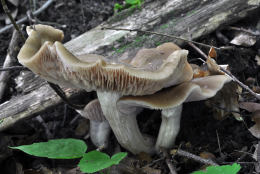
(188, 19)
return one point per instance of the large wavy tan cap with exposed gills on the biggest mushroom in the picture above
(44, 54)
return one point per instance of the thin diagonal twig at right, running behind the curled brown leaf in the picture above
(229, 74)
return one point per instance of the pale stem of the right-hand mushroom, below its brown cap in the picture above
(169, 128)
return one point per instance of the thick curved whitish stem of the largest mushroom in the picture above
(124, 125)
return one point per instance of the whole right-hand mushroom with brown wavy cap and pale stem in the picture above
(170, 101)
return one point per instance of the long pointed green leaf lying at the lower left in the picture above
(56, 149)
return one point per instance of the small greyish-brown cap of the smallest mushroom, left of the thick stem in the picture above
(93, 111)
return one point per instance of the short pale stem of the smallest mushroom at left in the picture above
(99, 133)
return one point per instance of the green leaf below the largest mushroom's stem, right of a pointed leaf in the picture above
(95, 161)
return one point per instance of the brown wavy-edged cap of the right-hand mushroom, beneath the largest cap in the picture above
(195, 90)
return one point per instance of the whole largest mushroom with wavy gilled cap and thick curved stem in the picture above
(44, 54)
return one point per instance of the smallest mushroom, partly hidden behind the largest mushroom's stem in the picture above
(99, 127)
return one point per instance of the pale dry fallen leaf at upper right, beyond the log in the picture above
(244, 39)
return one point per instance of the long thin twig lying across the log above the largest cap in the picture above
(160, 34)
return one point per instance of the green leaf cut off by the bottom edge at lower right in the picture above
(225, 169)
